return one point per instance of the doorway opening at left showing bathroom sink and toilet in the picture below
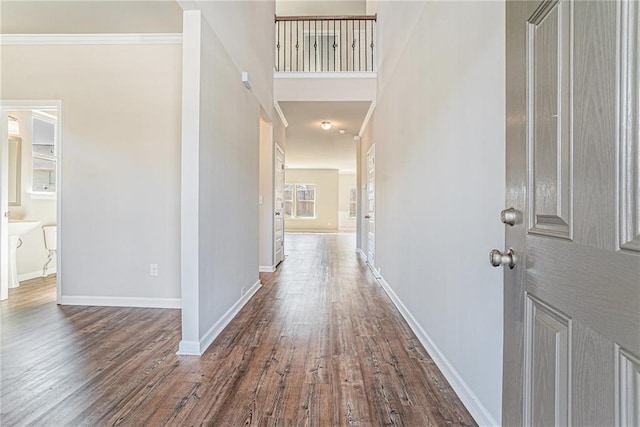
(31, 203)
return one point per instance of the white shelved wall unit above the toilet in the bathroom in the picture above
(43, 156)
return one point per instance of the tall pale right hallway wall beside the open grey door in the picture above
(439, 135)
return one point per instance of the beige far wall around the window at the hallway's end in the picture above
(326, 182)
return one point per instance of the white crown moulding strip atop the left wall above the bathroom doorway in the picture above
(89, 39)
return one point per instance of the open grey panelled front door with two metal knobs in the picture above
(572, 302)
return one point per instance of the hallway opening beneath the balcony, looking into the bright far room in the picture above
(321, 193)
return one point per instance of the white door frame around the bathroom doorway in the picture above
(5, 107)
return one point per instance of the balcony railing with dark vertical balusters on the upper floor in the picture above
(325, 43)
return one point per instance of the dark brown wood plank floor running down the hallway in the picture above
(319, 345)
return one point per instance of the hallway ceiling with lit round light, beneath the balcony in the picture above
(311, 147)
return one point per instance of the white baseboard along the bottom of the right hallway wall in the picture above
(477, 410)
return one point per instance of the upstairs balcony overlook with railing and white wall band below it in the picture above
(325, 58)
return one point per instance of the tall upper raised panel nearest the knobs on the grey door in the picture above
(549, 142)
